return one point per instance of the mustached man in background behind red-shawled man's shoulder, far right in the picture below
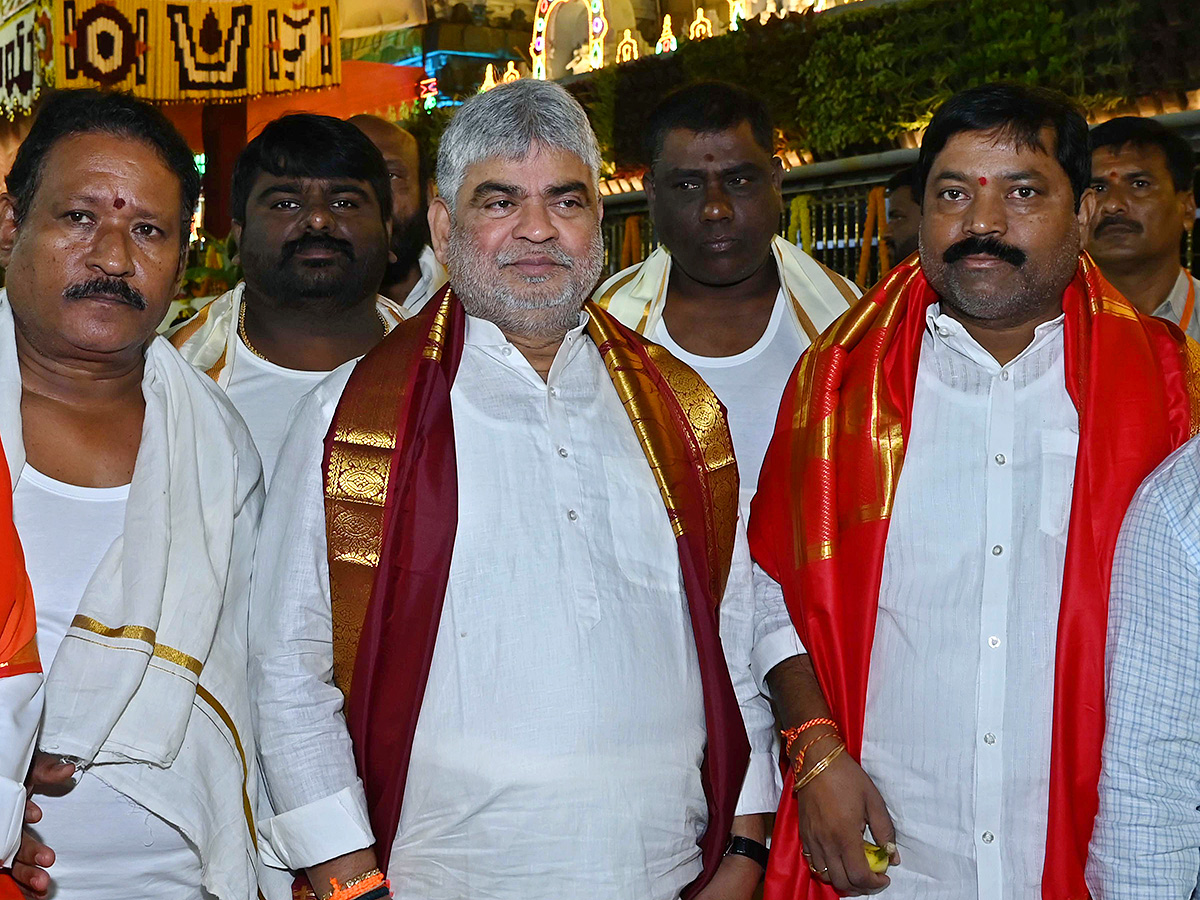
(1144, 175)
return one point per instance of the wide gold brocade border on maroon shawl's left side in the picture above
(359, 473)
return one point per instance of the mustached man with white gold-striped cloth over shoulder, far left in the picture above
(136, 494)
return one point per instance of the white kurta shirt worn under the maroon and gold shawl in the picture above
(560, 742)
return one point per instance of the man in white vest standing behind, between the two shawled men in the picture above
(724, 292)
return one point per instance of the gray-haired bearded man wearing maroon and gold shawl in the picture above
(517, 562)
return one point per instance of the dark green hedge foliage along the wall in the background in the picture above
(854, 80)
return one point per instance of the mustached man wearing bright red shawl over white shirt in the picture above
(940, 506)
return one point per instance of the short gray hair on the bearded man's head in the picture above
(506, 122)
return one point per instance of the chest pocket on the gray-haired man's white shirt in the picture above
(641, 532)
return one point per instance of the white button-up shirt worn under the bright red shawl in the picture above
(959, 705)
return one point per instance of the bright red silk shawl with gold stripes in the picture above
(820, 521)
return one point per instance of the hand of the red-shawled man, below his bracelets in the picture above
(833, 809)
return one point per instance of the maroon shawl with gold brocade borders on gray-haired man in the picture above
(392, 514)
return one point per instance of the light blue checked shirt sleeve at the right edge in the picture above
(1147, 843)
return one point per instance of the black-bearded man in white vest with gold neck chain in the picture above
(313, 217)
